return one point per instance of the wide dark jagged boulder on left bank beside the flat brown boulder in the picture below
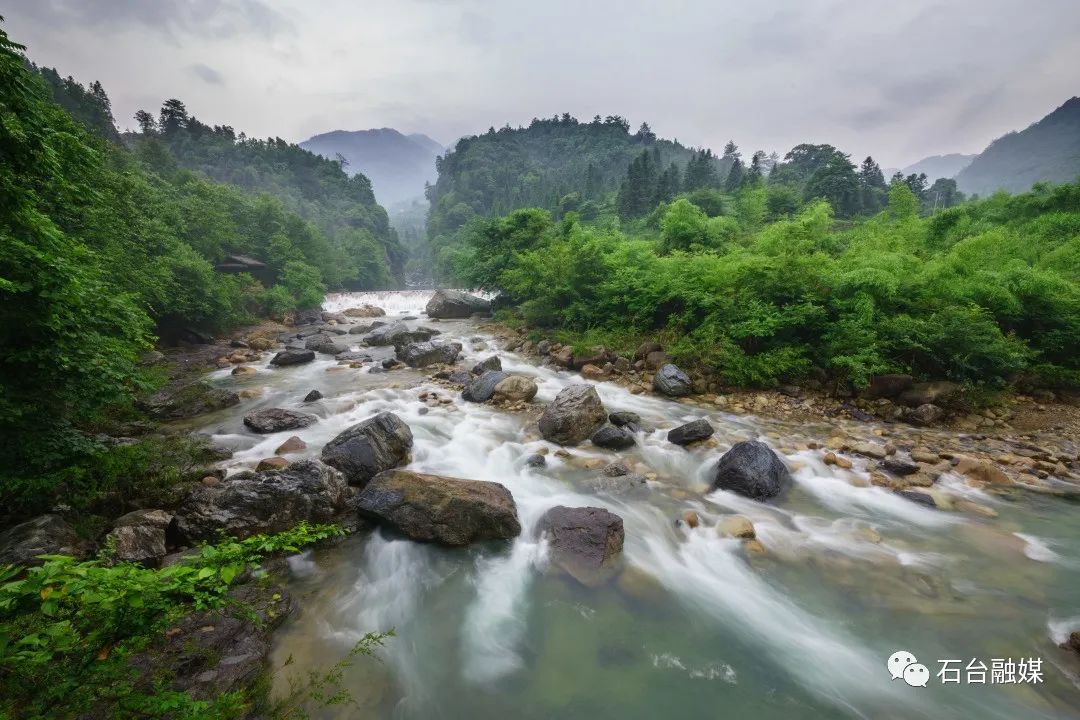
(252, 504)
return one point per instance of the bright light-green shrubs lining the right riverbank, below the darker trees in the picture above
(981, 294)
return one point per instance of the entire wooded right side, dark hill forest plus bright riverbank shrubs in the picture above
(780, 270)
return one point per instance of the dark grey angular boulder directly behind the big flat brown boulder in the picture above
(370, 447)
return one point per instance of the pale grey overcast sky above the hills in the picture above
(900, 80)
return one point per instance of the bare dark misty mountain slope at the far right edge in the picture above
(1047, 152)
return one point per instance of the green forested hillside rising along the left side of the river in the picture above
(105, 248)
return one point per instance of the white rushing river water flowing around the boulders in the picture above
(695, 626)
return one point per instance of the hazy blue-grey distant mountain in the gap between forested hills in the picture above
(399, 166)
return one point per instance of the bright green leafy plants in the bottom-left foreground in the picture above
(69, 630)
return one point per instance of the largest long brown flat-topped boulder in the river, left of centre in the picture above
(441, 510)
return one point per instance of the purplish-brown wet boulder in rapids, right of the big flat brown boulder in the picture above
(586, 542)
